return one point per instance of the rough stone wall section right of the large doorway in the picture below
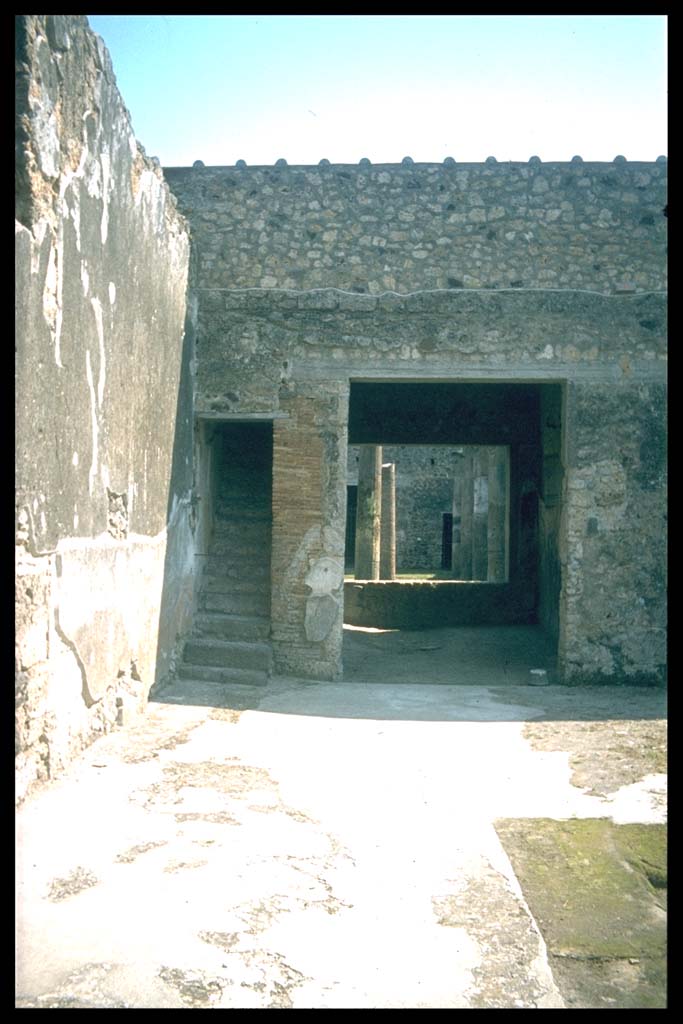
(614, 548)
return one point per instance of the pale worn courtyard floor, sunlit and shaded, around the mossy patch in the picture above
(326, 845)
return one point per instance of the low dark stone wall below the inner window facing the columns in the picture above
(423, 605)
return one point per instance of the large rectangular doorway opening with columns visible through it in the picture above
(508, 570)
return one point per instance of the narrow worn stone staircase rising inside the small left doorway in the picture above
(230, 642)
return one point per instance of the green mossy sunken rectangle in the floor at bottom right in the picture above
(599, 893)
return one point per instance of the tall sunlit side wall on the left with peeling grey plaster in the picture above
(105, 339)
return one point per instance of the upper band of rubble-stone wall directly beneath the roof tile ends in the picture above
(423, 227)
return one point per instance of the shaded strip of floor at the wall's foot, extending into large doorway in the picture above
(445, 675)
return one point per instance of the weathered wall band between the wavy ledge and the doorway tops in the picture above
(254, 343)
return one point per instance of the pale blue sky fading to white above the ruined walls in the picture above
(222, 89)
